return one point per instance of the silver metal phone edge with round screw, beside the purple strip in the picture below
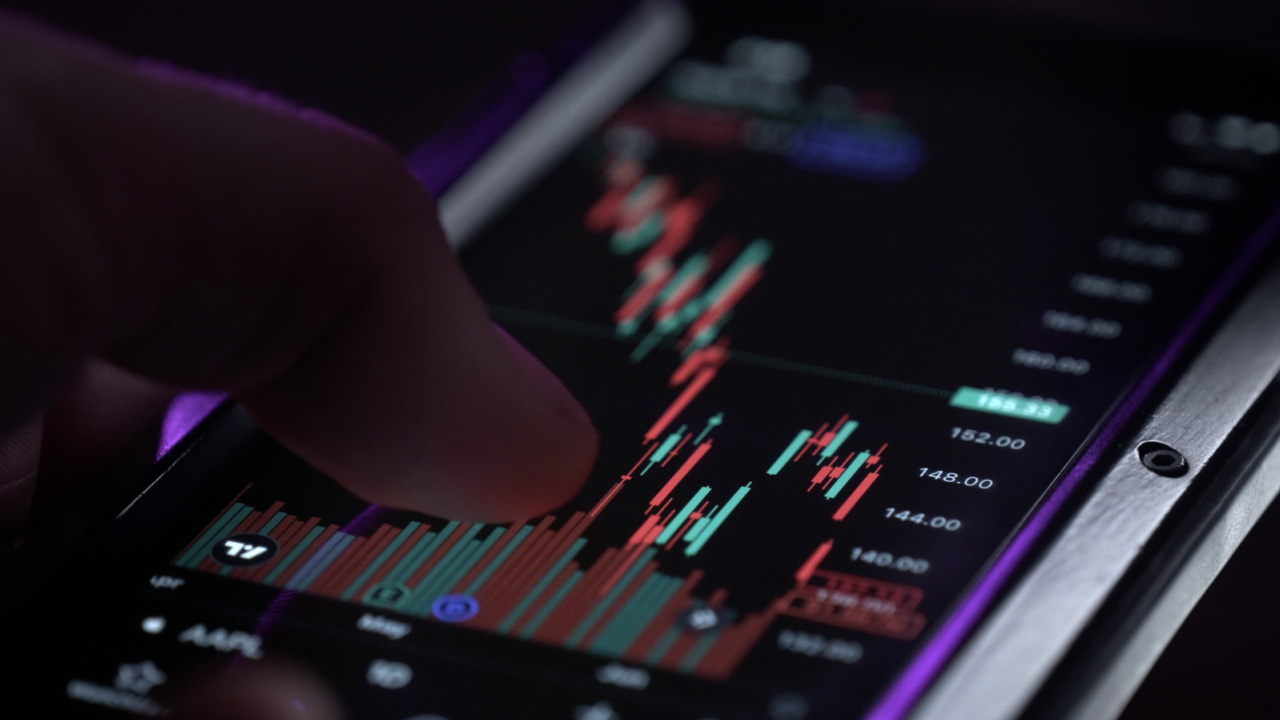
(1022, 641)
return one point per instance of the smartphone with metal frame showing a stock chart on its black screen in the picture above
(925, 350)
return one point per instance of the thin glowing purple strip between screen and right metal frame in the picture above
(921, 673)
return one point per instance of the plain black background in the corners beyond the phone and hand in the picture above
(405, 70)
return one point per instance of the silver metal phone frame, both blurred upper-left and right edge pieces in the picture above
(1012, 655)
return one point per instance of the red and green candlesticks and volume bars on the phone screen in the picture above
(621, 576)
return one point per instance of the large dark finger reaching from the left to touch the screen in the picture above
(203, 238)
